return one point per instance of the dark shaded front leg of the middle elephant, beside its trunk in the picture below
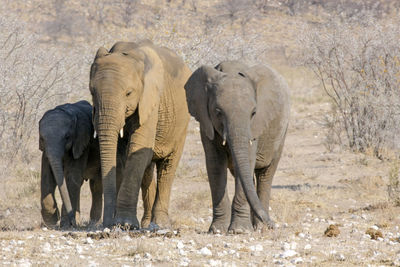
(127, 198)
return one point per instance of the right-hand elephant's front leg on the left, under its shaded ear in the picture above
(216, 164)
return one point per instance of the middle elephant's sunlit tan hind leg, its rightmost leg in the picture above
(166, 169)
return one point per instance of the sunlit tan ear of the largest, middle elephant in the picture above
(153, 84)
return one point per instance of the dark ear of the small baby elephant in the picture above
(83, 133)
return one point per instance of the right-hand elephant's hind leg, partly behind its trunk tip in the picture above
(264, 182)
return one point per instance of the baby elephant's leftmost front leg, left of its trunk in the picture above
(50, 212)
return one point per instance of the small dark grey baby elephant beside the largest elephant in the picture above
(70, 151)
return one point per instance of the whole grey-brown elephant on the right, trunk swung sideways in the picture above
(243, 114)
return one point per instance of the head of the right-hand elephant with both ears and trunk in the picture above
(227, 101)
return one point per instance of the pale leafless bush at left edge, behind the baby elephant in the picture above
(32, 80)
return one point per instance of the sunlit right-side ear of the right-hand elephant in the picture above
(268, 85)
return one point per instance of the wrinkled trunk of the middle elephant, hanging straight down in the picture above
(108, 129)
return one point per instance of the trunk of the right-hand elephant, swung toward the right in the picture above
(239, 142)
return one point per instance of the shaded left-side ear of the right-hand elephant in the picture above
(197, 97)
